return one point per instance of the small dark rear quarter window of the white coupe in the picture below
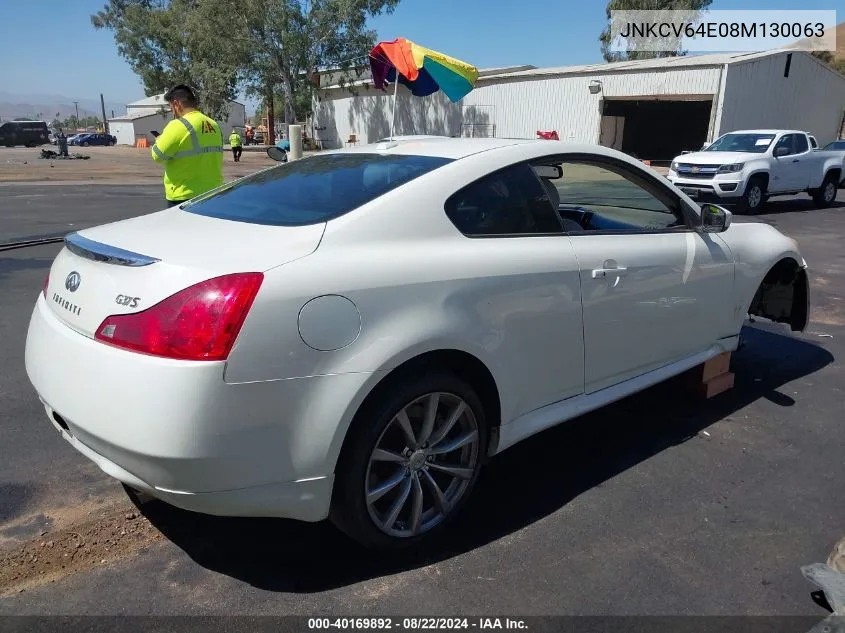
(508, 202)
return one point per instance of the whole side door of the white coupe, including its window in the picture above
(654, 290)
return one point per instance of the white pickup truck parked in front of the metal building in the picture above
(747, 167)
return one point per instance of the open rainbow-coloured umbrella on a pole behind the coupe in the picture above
(422, 70)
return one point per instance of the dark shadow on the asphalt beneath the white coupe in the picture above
(530, 481)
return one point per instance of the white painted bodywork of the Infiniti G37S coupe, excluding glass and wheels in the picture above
(345, 302)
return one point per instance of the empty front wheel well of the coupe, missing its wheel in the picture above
(782, 295)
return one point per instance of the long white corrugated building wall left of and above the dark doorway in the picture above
(516, 106)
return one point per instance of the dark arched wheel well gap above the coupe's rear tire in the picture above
(466, 366)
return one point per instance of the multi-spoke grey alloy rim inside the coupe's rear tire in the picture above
(422, 464)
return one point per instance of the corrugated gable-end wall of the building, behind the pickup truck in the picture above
(757, 95)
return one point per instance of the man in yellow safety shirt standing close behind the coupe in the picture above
(190, 147)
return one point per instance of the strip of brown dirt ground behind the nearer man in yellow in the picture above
(120, 164)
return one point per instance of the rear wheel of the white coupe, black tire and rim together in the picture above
(410, 462)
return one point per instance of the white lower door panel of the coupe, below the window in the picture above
(669, 278)
